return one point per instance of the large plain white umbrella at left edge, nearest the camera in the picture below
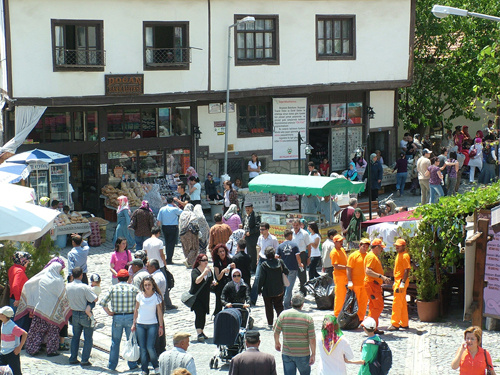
(24, 221)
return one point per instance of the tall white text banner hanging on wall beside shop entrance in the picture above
(289, 118)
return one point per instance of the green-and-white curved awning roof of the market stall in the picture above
(308, 185)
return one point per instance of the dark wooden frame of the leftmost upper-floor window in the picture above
(100, 27)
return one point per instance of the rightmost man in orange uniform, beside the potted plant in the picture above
(402, 266)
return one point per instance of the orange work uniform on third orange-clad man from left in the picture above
(373, 286)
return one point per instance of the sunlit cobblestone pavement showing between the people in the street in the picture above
(425, 349)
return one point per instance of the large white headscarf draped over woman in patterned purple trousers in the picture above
(44, 295)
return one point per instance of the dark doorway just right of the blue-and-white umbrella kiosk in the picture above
(85, 181)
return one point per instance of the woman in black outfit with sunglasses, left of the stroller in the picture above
(201, 278)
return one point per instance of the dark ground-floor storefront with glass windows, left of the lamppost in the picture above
(111, 143)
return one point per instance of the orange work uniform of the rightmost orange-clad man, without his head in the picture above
(399, 317)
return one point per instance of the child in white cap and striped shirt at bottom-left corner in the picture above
(13, 339)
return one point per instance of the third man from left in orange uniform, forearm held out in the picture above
(373, 280)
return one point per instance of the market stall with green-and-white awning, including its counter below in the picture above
(300, 185)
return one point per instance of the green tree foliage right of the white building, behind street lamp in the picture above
(447, 65)
